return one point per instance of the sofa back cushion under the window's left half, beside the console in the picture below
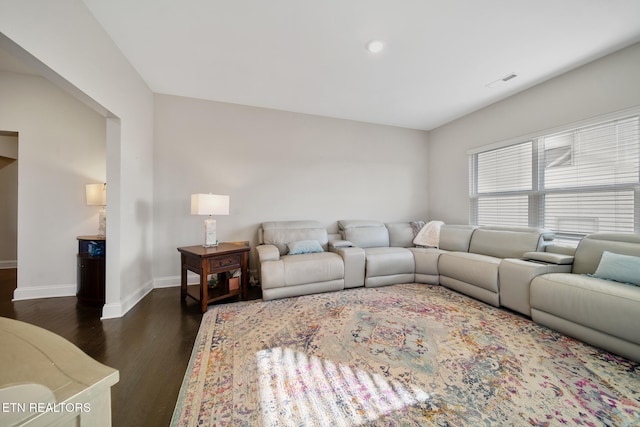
(508, 242)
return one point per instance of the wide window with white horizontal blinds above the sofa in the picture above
(574, 181)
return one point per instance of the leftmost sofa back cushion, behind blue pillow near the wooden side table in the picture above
(279, 233)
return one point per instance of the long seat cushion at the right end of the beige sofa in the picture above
(603, 305)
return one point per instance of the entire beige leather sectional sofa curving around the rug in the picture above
(514, 267)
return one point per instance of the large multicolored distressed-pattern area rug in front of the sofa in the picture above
(403, 355)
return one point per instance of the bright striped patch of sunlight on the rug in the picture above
(298, 390)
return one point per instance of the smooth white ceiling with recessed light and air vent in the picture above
(309, 56)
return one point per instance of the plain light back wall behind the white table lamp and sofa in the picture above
(276, 165)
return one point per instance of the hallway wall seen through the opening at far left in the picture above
(61, 147)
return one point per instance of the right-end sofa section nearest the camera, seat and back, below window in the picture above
(605, 313)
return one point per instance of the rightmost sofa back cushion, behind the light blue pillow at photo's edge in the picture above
(591, 247)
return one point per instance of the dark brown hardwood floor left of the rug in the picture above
(150, 345)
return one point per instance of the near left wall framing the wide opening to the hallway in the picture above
(65, 37)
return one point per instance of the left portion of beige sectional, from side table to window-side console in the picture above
(372, 253)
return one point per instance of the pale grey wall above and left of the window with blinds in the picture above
(606, 85)
